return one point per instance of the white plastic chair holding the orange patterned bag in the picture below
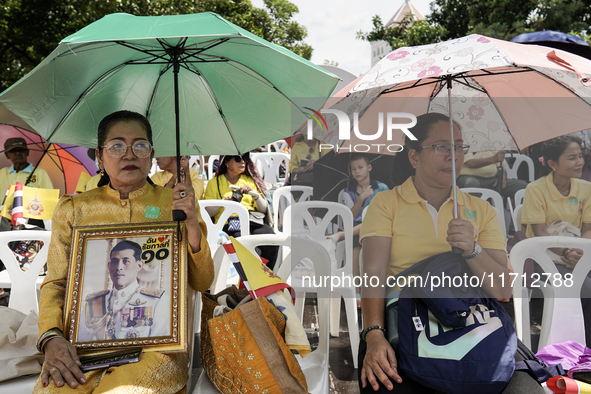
(315, 364)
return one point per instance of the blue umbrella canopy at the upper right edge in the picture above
(556, 39)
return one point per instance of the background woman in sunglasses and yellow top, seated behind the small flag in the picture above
(239, 173)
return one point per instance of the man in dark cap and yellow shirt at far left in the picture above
(21, 170)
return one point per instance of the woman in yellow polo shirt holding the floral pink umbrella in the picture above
(414, 221)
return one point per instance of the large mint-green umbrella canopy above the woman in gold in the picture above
(221, 88)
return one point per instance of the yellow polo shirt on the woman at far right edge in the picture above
(543, 203)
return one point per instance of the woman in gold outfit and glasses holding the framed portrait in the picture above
(125, 156)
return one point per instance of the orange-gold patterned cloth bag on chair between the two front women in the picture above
(242, 346)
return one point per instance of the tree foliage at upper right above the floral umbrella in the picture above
(494, 18)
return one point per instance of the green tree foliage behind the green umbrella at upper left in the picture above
(31, 29)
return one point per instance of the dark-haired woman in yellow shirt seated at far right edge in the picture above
(562, 200)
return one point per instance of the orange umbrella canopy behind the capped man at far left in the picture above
(63, 163)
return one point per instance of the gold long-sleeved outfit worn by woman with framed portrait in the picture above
(156, 372)
